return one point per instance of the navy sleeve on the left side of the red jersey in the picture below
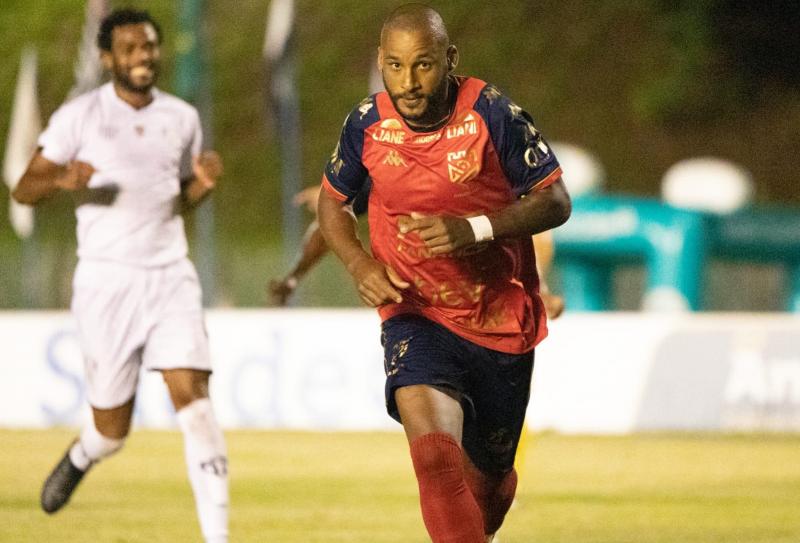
(345, 174)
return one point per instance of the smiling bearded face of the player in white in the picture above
(134, 56)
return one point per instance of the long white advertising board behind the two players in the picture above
(323, 370)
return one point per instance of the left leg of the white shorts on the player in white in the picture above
(106, 304)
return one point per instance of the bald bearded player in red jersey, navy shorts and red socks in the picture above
(461, 178)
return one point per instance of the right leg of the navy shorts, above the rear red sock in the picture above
(499, 393)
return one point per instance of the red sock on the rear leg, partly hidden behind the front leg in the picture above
(493, 493)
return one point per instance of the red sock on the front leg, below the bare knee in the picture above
(448, 507)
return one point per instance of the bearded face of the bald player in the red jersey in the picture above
(415, 67)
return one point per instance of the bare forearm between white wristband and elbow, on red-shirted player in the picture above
(538, 211)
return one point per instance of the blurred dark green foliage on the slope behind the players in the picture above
(640, 84)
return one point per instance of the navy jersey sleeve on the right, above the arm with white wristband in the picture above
(526, 158)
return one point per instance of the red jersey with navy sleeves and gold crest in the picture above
(488, 155)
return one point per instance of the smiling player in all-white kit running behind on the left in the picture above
(131, 155)
